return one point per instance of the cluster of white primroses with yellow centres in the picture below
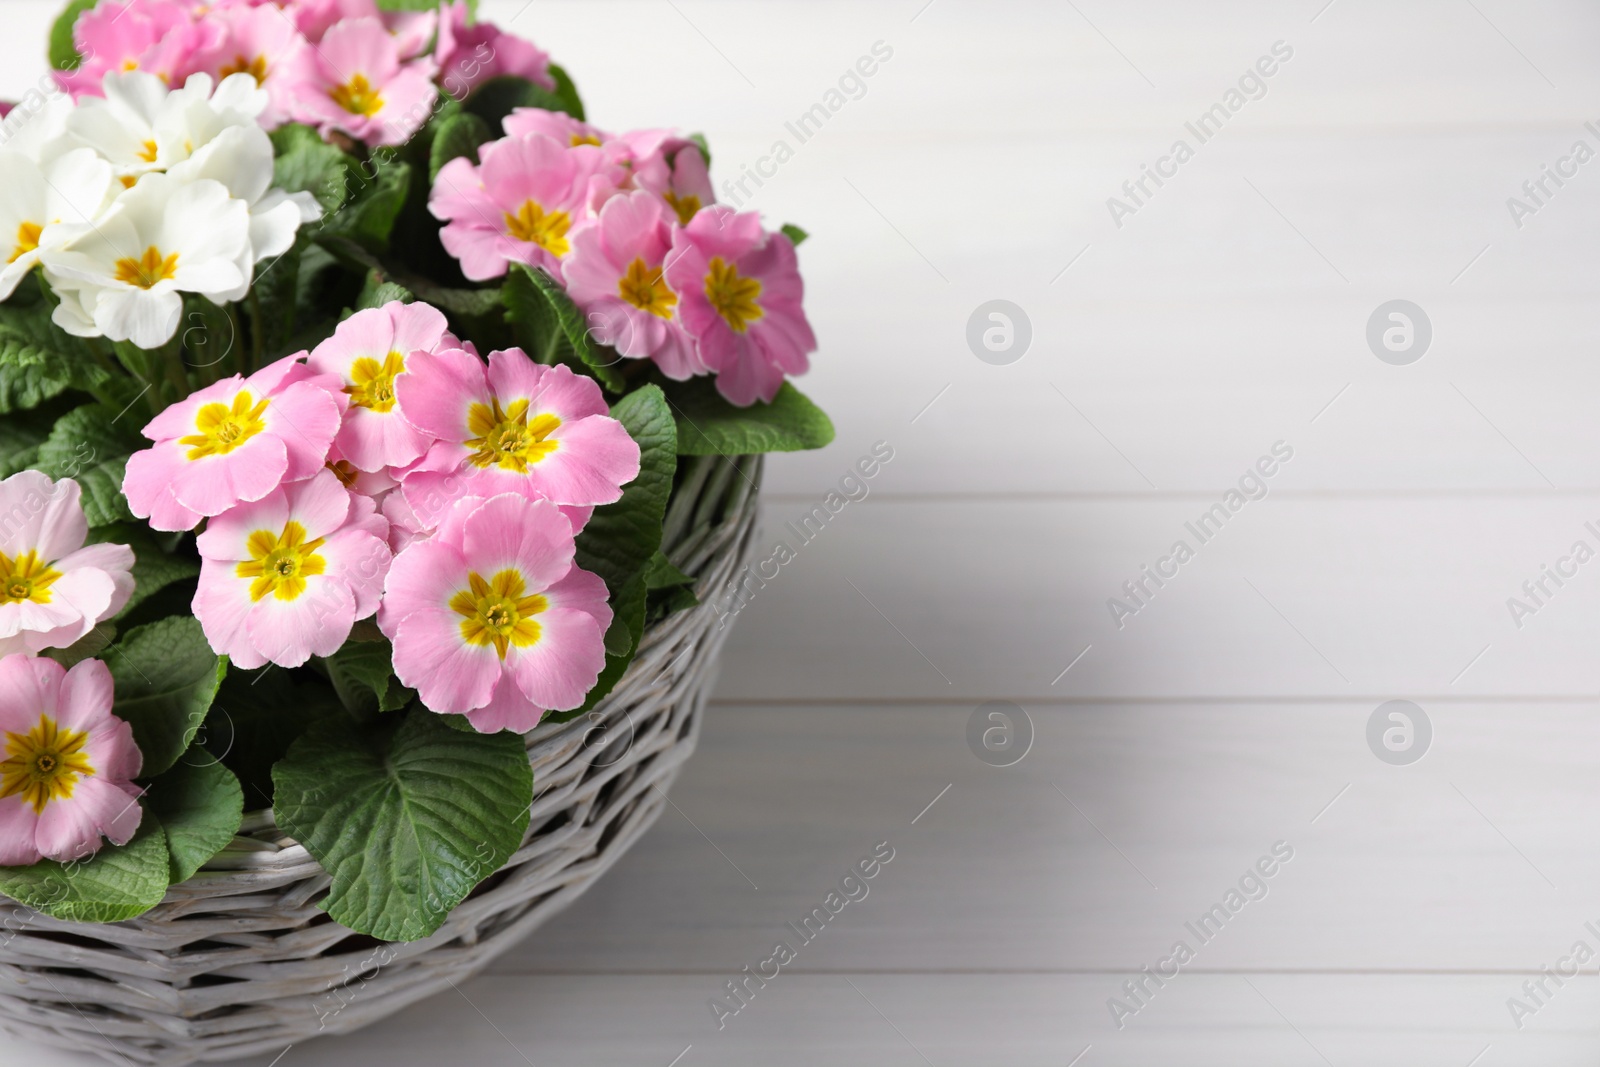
(132, 199)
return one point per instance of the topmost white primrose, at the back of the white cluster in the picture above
(143, 127)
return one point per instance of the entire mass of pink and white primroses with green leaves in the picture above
(345, 374)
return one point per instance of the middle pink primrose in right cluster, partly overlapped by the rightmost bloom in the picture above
(617, 278)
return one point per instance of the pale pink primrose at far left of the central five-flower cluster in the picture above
(234, 442)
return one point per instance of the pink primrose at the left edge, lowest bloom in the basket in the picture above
(66, 764)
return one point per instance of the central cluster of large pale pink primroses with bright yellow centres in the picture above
(394, 438)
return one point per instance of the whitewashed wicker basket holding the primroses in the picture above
(239, 961)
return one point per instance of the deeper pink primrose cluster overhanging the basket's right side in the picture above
(630, 226)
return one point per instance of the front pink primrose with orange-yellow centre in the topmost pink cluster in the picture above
(354, 82)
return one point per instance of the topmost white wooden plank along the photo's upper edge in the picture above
(1030, 68)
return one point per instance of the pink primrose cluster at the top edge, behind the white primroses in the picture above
(338, 65)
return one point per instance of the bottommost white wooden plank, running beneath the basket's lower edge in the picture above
(913, 1021)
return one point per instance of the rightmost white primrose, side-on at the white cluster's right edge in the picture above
(241, 159)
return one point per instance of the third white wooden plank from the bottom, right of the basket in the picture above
(1295, 597)
